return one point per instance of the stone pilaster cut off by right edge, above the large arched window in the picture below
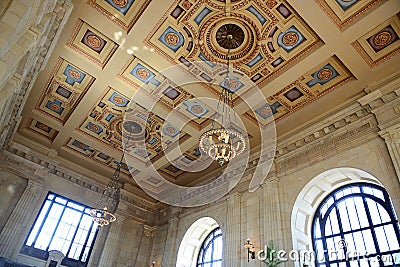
(392, 140)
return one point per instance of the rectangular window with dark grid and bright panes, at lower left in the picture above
(64, 225)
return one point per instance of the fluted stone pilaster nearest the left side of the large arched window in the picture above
(272, 212)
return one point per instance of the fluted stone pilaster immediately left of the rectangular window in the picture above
(17, 227)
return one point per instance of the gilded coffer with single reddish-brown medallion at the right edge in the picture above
(380, 44)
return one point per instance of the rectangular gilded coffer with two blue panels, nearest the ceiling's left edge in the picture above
(65, 88)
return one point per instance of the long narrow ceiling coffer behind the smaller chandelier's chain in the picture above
(89, 152)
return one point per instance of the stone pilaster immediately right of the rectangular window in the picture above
(110, 249)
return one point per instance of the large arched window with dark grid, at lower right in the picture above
(356, 226)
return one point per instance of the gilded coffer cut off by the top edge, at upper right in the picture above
(345, 12)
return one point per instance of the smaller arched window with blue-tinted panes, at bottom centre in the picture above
(210, 254)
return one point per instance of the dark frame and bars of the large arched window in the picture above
(321, 220)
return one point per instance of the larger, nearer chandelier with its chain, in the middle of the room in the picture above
(222, 143)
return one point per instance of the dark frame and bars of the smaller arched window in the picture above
(209, 243)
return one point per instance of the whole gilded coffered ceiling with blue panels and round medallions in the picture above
(113, 59)
